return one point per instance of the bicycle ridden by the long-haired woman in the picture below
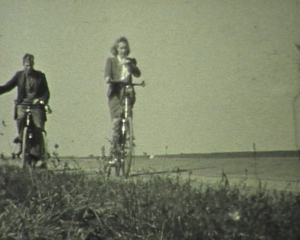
(123, 164)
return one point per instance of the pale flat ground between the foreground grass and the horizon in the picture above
(274, 173)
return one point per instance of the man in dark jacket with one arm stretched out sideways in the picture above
(32, 88)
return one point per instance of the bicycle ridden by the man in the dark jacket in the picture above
(29, 137)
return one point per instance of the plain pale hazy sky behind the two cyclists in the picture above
(220, 74)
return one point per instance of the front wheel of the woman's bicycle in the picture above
(127, 147)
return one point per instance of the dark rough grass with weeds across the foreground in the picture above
(43, 205)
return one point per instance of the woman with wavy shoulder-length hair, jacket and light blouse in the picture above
(119, 69)
